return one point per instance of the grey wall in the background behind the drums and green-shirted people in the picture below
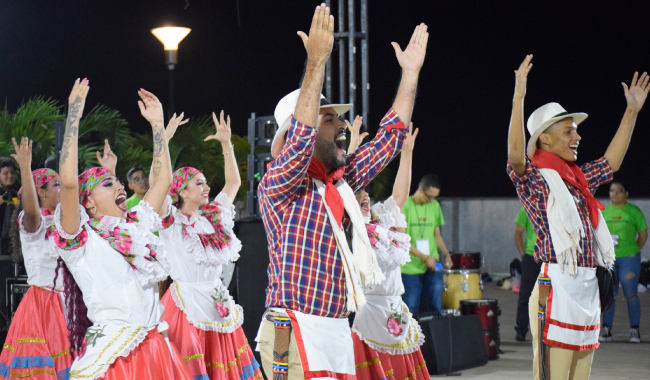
(487, 225)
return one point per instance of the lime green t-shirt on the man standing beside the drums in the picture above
(421, 221)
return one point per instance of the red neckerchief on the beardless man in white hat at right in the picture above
(572, 175)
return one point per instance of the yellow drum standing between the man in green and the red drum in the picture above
(460, 284)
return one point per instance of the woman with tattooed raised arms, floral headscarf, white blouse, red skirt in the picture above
(112, 262)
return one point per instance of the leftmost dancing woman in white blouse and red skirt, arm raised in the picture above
(37, 345)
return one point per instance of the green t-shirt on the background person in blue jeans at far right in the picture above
(625, 222)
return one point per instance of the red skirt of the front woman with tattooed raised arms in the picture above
(150, 361)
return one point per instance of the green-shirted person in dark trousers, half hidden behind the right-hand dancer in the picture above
(529, 270)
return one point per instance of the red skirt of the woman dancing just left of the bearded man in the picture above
(210, 354)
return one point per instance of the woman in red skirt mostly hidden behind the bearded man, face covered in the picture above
(386, 338)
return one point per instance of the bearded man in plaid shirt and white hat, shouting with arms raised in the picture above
(307, 204)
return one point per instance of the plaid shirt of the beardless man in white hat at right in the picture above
(533, 194)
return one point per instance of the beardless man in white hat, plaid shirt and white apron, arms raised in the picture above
(572, 236)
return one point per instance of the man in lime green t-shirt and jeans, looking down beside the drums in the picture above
(423, 273)
